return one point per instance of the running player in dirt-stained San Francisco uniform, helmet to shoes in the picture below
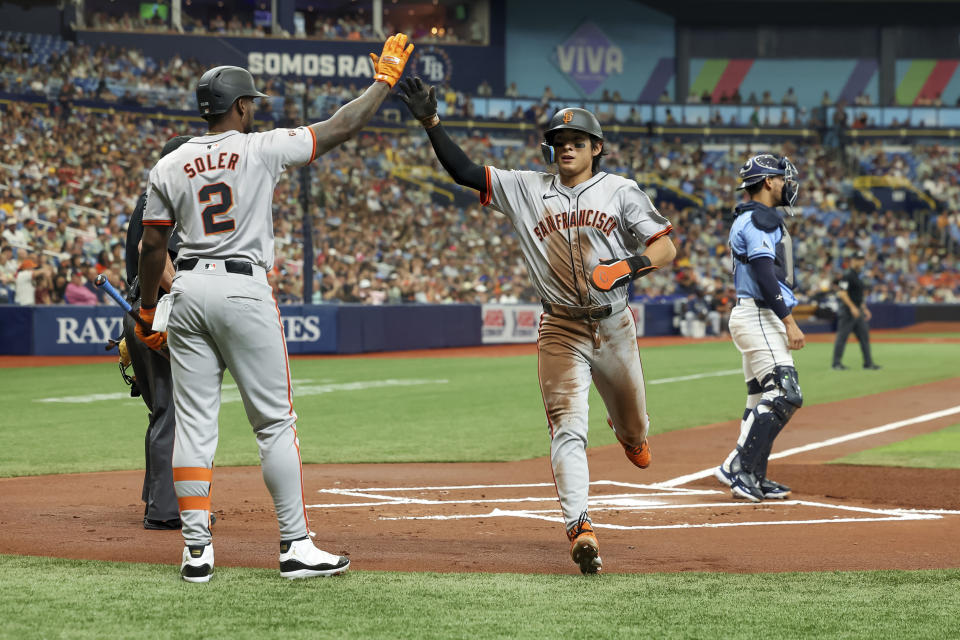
(582, 232)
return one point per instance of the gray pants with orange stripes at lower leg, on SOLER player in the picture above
(222, 320)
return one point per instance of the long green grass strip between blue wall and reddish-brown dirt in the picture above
(465, 409)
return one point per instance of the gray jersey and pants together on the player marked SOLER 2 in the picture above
(219, 190)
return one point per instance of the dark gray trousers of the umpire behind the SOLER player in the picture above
(156, 388)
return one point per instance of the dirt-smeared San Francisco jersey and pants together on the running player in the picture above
(564, 233)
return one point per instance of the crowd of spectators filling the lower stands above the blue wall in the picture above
(385, 232)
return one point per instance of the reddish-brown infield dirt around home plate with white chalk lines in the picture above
(477, 524)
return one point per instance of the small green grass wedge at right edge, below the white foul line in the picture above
(937, 450)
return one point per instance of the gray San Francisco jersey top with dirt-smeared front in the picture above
(565, 232)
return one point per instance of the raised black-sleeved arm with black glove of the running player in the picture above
(423, 105)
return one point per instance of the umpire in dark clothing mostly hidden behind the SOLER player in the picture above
(153, 378)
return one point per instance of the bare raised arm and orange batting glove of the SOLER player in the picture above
(353, 116)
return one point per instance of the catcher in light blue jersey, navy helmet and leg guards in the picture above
(761, 324)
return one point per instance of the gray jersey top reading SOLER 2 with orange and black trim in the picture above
(218, 189)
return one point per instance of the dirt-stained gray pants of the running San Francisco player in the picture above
(571, 354)
